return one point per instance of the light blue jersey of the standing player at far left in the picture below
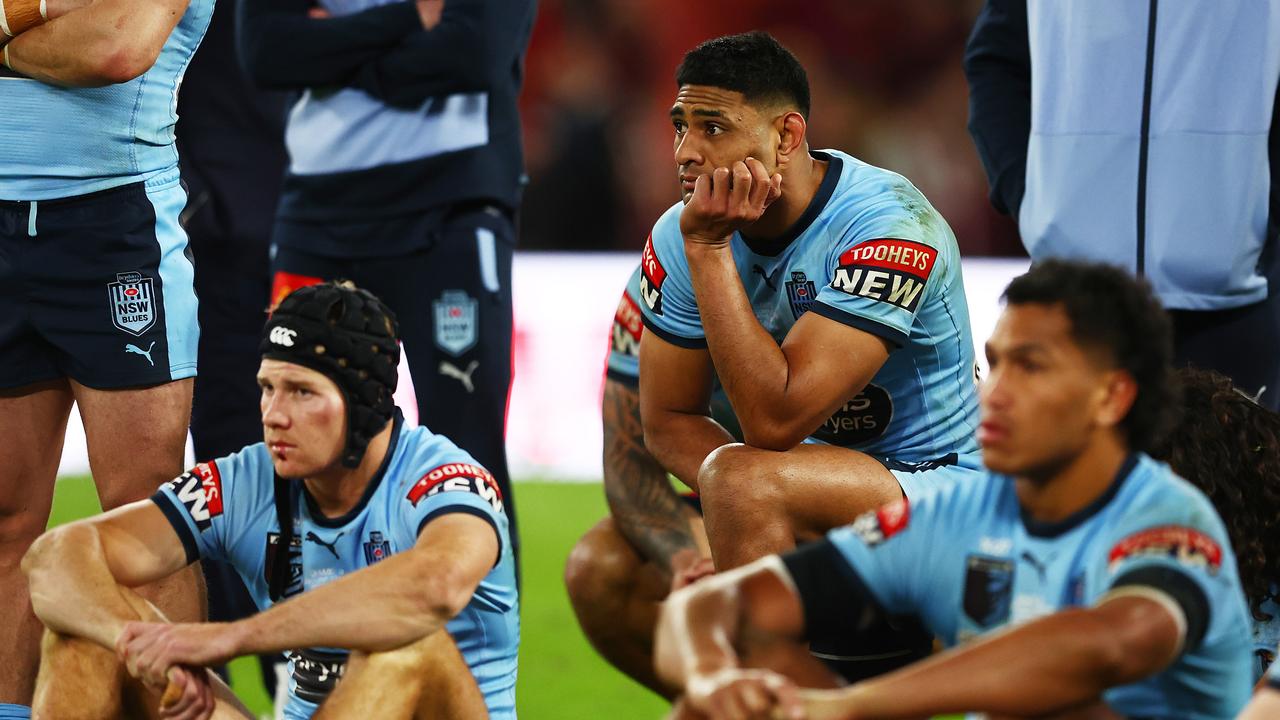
(60, 143)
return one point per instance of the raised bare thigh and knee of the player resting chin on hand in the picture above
(758, 503)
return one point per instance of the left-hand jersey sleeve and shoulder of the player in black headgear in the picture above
(205, 504)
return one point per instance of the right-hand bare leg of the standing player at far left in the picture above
(138, 440)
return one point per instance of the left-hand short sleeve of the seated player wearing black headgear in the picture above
(195, 504)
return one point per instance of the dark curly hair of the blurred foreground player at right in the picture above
(1118, 315)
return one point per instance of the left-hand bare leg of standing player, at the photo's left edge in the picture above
(33, 423)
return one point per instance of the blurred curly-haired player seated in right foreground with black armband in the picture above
(1081, 572)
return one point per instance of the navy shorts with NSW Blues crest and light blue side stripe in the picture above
(98, 288)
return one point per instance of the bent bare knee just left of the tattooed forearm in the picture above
(602, 566)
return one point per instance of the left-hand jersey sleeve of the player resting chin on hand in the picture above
(666, 290)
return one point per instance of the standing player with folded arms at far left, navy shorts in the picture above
(97, 300)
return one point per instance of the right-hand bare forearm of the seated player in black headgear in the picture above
(382, 608)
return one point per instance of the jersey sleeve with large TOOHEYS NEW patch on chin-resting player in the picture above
(885, 267)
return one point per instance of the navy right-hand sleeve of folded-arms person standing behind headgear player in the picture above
(456, 56)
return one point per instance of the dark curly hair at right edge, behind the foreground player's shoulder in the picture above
(1229, 446)
